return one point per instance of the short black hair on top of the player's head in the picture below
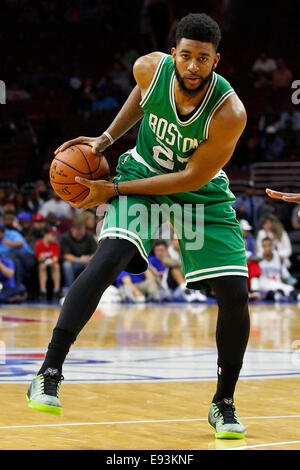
(199, 27)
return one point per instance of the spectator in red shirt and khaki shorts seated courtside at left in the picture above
(47, 255)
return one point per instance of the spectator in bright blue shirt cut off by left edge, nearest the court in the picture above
(10, 291)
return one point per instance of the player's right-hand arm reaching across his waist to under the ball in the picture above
(226, 127)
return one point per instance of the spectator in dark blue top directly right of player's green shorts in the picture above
(248, 206)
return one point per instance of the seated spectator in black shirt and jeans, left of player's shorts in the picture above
(77, 248)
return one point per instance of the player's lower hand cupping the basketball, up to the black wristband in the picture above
(100, 192)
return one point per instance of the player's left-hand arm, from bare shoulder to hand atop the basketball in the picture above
(131, 111)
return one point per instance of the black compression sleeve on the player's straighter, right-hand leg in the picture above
(232, 333)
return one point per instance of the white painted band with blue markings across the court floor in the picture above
(111, 365)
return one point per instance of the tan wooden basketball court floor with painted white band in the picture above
(142, 377)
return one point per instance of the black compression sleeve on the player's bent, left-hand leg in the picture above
(110, 259)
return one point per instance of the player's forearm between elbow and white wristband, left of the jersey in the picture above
(130, 113)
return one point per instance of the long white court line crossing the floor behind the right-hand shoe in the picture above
(136, 422)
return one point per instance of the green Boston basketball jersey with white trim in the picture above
(164, 142)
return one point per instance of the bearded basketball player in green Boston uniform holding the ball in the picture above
(192, 120)
